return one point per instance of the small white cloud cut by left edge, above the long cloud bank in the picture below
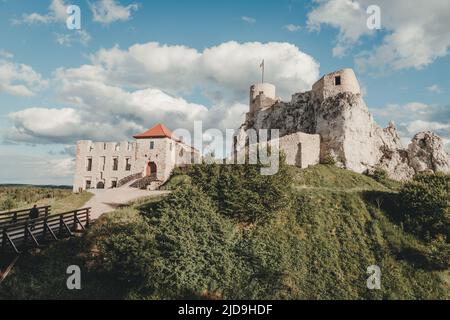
(19, 79)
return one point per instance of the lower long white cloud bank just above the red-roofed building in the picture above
(125, 114)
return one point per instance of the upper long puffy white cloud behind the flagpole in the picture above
(222, 72)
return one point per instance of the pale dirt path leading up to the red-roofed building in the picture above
(108, 200)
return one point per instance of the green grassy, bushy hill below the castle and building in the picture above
(227, 232)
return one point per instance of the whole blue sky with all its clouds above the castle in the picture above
(135, 63)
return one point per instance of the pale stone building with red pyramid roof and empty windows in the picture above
(146, 162)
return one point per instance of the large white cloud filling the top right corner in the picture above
(415, 32)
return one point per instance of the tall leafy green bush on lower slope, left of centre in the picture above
(194, 246)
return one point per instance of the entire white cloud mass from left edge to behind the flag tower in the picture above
(123, 92)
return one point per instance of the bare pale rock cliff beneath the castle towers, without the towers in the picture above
(350, 135)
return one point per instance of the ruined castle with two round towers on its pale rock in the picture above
(331, 121)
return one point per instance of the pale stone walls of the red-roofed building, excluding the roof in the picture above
(165, 154)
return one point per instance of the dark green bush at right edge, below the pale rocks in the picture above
(425, 203)
